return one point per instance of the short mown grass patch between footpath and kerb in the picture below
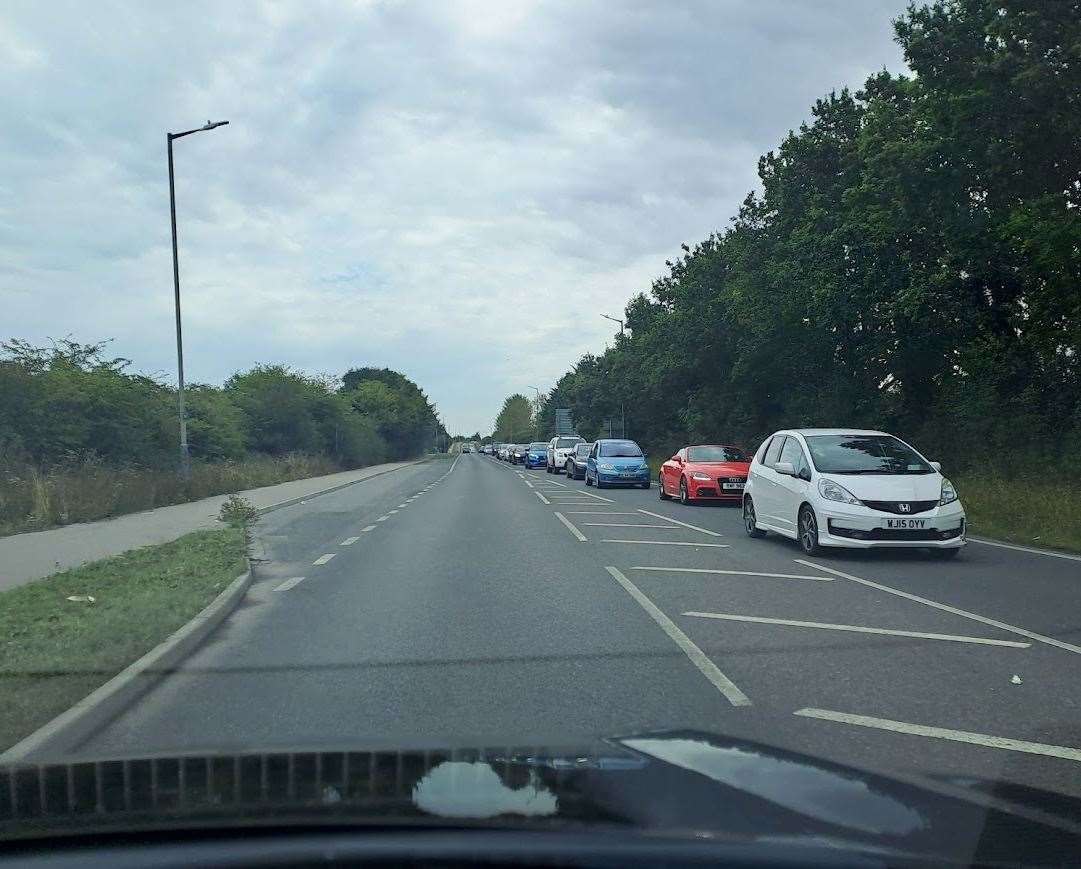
(57, 651)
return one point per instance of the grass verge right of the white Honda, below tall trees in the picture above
(1023, 511)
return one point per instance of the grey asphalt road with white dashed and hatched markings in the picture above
(468, 603)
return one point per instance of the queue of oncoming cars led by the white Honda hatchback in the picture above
(823, 488)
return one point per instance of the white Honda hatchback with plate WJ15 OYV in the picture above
(848, 488)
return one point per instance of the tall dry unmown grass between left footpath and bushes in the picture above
(32, 500)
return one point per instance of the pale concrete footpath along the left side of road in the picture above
(35, 555)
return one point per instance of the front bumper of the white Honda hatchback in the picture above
(862, 528)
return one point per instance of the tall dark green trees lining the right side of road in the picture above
(912, 263)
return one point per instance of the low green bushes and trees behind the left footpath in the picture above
(69, 403)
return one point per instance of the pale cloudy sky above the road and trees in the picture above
(453, 190)
